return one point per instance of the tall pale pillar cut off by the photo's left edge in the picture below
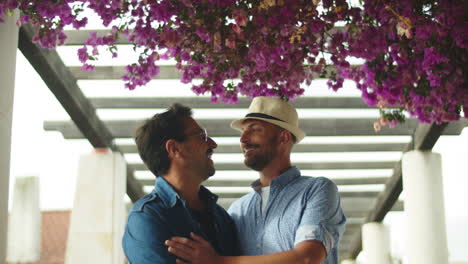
(8, 44)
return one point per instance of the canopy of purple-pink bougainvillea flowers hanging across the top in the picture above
(413, 52)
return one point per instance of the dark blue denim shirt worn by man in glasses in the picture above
(161, 215)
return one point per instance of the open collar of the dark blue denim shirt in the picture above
(169, 196)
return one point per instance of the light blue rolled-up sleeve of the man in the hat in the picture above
(323, 219)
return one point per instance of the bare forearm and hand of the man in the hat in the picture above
(199, 251)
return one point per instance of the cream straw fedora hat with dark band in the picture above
(275, 111)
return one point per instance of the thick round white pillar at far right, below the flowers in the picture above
(424, 208)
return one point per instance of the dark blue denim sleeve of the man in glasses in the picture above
(143, 240)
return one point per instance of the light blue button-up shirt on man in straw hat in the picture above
(299, 208)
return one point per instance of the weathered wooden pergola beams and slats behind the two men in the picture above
(360, 204)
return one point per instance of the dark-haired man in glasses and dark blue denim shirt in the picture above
(178, 152)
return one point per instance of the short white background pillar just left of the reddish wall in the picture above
(24, 229)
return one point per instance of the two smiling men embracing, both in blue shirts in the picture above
(286, 219)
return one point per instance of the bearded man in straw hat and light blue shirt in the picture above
(288, 218)
